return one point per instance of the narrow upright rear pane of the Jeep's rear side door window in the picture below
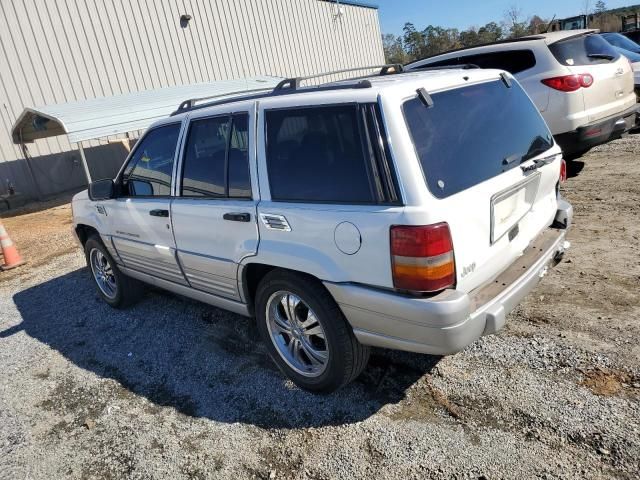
(239, 180)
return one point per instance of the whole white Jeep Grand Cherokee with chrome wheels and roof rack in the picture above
(408, 211)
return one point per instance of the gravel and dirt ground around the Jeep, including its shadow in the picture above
(176, 389)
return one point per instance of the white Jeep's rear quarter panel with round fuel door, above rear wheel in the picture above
(312, 245)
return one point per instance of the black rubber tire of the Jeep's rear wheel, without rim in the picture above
(347, 357)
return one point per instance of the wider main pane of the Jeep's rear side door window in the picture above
(205, 157)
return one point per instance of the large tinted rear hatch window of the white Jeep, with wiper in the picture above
(464, 138)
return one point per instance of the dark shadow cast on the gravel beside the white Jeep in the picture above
(202, 361)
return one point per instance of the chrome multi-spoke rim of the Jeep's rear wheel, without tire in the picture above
(297, 334)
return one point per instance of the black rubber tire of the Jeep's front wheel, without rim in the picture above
(127, 290)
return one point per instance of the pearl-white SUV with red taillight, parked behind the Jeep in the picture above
(581, 85)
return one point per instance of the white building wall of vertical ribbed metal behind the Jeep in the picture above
(58, 51)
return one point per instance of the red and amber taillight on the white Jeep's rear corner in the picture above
(422, 257)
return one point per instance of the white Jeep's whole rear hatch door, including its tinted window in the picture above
(489, 159)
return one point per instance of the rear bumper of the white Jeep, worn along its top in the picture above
(451, 320)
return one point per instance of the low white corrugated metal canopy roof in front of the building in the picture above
(102, 117)
